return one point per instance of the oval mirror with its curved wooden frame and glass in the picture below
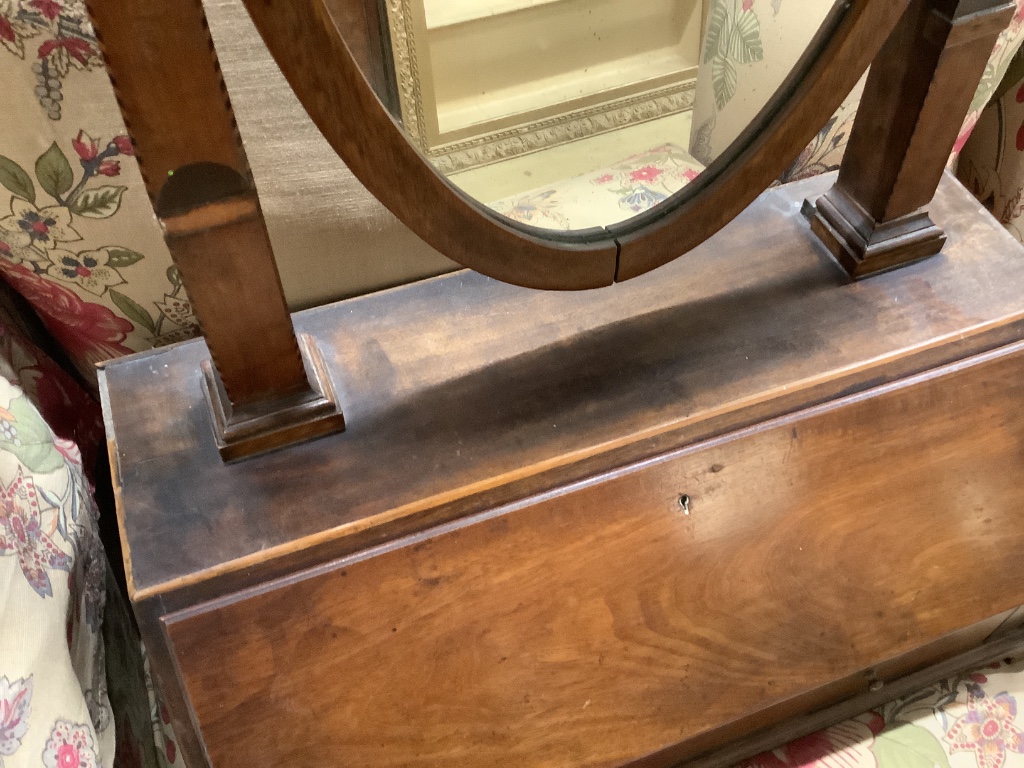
(570, 144)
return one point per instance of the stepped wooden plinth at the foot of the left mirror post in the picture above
(241, 434)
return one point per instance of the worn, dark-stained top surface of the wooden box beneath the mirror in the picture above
(461, 393)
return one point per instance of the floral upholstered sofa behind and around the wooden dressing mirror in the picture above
(89, 279)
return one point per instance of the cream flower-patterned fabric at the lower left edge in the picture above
(54, 705)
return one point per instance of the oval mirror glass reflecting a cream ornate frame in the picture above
(570, 115)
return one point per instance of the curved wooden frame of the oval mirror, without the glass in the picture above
(314, 57)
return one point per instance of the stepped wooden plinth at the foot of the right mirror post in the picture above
(864, 246)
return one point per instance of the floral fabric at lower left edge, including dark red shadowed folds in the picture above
(73, 674)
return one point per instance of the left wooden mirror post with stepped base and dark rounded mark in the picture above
(266, 387)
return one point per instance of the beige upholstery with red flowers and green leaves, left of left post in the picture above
(78, 238)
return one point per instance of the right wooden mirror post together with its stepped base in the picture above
(918, 94)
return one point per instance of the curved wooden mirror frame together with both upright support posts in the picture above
(267, 389)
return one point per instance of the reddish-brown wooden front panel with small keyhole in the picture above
(604, 624)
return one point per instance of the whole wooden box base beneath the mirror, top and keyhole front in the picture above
(492, 565)
